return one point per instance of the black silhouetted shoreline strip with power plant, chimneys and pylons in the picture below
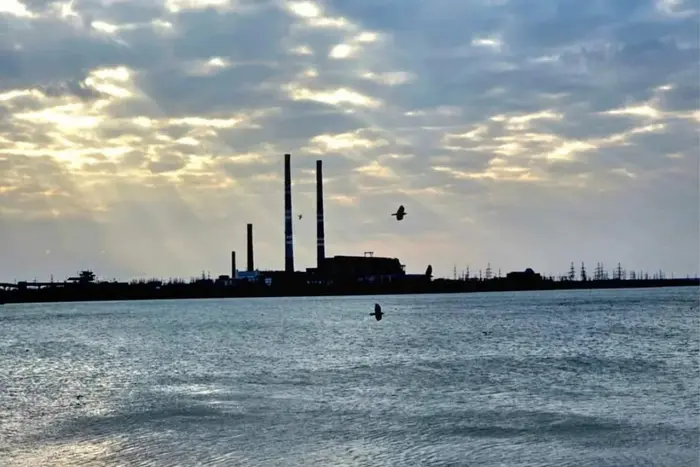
(336, 275)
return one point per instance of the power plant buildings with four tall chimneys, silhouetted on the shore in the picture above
(366, 268)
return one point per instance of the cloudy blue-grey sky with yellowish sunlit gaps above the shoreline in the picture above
(138, 138)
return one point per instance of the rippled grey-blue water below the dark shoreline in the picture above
(571, 378)
